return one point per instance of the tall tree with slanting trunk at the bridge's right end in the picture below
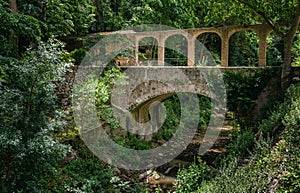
(283, 17)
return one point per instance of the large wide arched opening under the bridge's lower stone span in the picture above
(168, 116)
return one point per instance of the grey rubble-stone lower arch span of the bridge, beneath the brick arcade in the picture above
(147, 85)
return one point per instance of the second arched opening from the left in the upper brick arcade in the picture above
(176, 51)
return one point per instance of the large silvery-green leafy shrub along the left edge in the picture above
(29, 116)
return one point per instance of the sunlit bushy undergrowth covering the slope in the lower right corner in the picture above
(269, 168)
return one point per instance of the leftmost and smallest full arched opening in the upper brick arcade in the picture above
(148, 51)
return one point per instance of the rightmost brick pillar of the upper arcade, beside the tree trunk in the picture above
(262, 55)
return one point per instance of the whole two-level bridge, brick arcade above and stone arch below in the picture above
(150, 84)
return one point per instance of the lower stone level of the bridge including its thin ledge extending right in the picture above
(149, 86)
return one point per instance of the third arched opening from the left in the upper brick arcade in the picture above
(212, 42)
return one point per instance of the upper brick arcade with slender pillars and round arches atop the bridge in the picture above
(191, 35)
